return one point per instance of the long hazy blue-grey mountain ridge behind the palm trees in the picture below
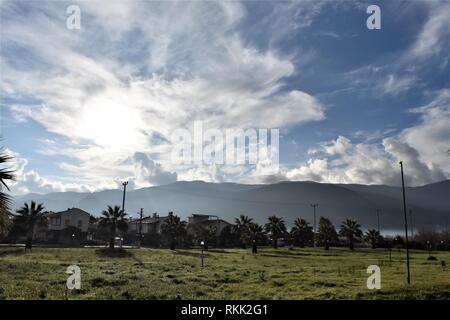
(430, 203)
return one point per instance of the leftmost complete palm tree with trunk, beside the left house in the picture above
(28, 217)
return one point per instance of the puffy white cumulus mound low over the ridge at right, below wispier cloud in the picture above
(367, 164)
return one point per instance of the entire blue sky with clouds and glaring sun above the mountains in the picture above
(85, 109)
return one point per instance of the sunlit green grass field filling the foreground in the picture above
(228, 274)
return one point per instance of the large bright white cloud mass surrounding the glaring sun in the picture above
(106, 99)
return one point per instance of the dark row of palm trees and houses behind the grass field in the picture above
(76, 227)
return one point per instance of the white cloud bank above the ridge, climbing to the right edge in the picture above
(423, 148)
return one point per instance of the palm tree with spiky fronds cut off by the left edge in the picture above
(5, 201)
